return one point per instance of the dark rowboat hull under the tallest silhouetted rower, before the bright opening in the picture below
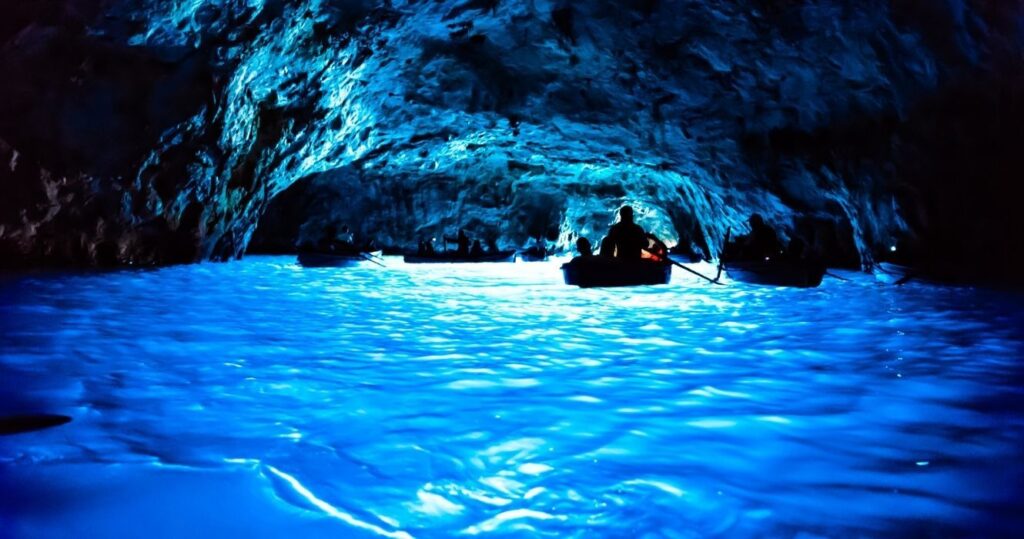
(603, 272)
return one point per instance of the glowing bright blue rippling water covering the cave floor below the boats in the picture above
(261, 399)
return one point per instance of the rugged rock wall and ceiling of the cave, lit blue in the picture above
(156, 132)
